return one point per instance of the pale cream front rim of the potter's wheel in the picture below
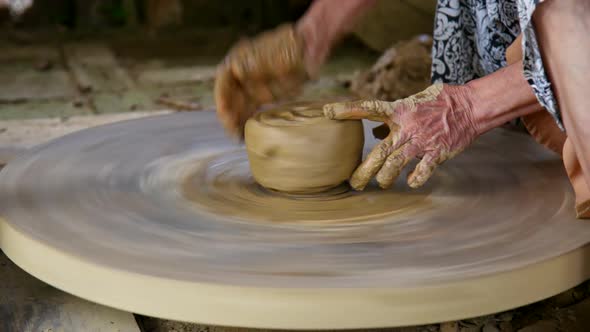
(293, 308)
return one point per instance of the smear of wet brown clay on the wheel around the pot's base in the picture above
(223, 186)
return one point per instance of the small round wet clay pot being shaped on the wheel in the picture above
(295, 149)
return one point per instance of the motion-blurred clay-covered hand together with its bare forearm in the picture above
(275, 64)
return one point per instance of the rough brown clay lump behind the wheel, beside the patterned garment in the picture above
(400, 72)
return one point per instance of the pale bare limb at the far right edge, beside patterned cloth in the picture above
(562, 31)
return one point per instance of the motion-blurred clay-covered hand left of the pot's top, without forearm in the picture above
(257, 71)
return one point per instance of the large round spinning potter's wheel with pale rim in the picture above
(160, 216)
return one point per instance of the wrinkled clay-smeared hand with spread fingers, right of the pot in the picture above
(435, 125)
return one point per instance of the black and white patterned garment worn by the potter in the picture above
(471, 38)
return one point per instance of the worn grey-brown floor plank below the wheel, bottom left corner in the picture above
(29, 305)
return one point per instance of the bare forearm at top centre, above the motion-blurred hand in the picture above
(326, 22)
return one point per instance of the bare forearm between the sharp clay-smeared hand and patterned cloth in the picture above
(500, 97)
